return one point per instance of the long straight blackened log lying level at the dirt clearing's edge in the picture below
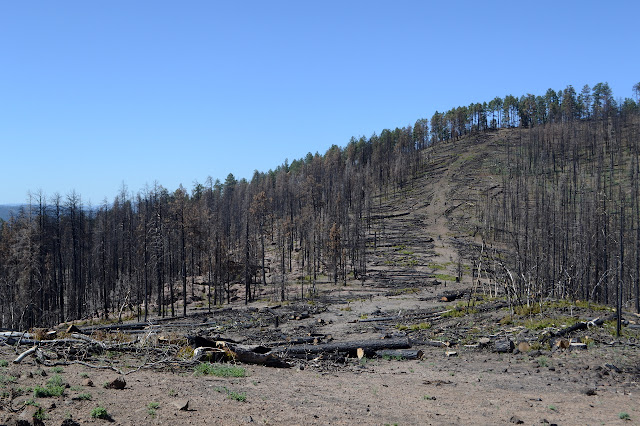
(350, 348)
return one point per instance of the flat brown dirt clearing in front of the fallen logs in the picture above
(473, 388)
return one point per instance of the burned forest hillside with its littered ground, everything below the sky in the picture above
(488, 250)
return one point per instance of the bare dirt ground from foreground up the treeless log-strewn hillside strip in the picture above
(424, 234)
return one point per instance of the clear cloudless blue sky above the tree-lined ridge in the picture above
(97, 94)
